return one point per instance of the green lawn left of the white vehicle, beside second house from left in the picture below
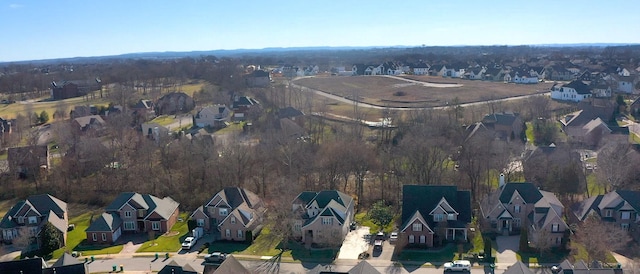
(170, 241)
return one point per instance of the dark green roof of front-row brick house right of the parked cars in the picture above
(425, 198)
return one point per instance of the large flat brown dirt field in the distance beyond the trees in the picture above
(417, 91)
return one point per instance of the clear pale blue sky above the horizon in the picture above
(43, 29)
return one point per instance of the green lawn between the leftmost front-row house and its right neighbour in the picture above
(76, 239)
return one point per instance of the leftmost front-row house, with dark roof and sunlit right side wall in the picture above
(32, 214)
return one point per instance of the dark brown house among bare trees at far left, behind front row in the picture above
(29, 161)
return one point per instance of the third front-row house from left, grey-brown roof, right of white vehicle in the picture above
(236, 213)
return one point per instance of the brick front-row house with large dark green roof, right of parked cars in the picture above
(434, 214)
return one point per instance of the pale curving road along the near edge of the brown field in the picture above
(361, 104)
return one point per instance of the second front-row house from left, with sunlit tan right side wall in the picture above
(132, 212)
